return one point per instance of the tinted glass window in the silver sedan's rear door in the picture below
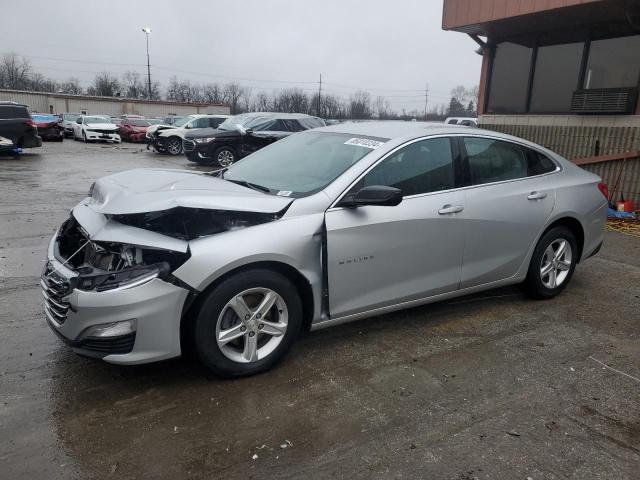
(492, 160)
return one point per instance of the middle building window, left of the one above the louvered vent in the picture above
(556, 77)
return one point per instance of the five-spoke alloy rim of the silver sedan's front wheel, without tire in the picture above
(251, 325)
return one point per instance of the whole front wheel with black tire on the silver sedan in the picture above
(235, 358)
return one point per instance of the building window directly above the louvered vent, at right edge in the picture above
(613, 63)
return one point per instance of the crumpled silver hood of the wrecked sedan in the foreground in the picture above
(153, 190)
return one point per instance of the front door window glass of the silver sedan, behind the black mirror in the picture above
(422, 167)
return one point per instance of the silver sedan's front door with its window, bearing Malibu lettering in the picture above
(379, 256)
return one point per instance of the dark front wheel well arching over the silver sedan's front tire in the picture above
(301, 283)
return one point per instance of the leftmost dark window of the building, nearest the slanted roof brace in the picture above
(510, 78)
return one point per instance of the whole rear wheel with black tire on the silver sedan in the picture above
(560, 268)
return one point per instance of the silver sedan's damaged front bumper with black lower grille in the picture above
(156, 306)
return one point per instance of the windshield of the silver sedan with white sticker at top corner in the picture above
(302, 164)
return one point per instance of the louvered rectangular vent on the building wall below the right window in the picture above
(604, 100)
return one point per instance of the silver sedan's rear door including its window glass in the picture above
(506, 206)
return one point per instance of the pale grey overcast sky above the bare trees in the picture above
(390, 48)
